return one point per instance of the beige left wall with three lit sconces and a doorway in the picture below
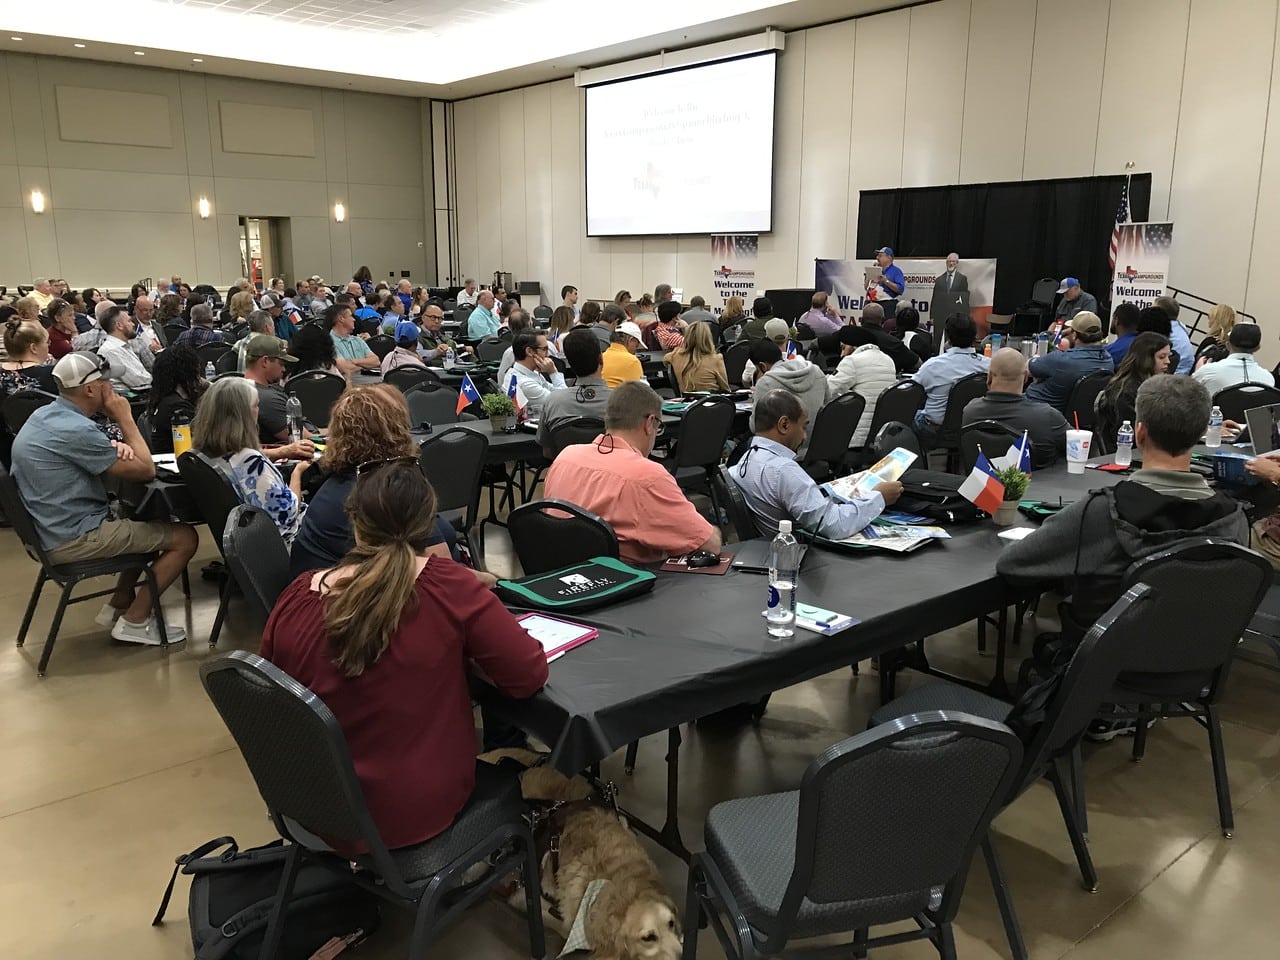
(124, 156)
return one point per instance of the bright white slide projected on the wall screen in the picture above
(687, 152)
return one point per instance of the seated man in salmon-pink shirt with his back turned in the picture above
(614, 478)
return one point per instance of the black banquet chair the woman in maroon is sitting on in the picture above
(300, 762)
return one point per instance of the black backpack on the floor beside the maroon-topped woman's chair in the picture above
(232, 897)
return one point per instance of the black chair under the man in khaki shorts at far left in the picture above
(67, 575)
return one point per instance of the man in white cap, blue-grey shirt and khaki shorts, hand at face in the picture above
(61, 459)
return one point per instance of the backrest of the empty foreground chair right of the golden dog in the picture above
(897, 812)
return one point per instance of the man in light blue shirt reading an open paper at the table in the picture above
(778, 488)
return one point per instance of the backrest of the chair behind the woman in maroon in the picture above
(298, 756)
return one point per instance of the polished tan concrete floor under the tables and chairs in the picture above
(118, 764)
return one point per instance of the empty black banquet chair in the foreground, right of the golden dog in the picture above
(883, 829)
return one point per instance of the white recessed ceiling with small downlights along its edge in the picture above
(447, 49)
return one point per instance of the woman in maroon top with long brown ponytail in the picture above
(386, 641)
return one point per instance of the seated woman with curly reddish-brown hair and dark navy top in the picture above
(368, 426)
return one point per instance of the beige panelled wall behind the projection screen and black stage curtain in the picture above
(958, 92)
